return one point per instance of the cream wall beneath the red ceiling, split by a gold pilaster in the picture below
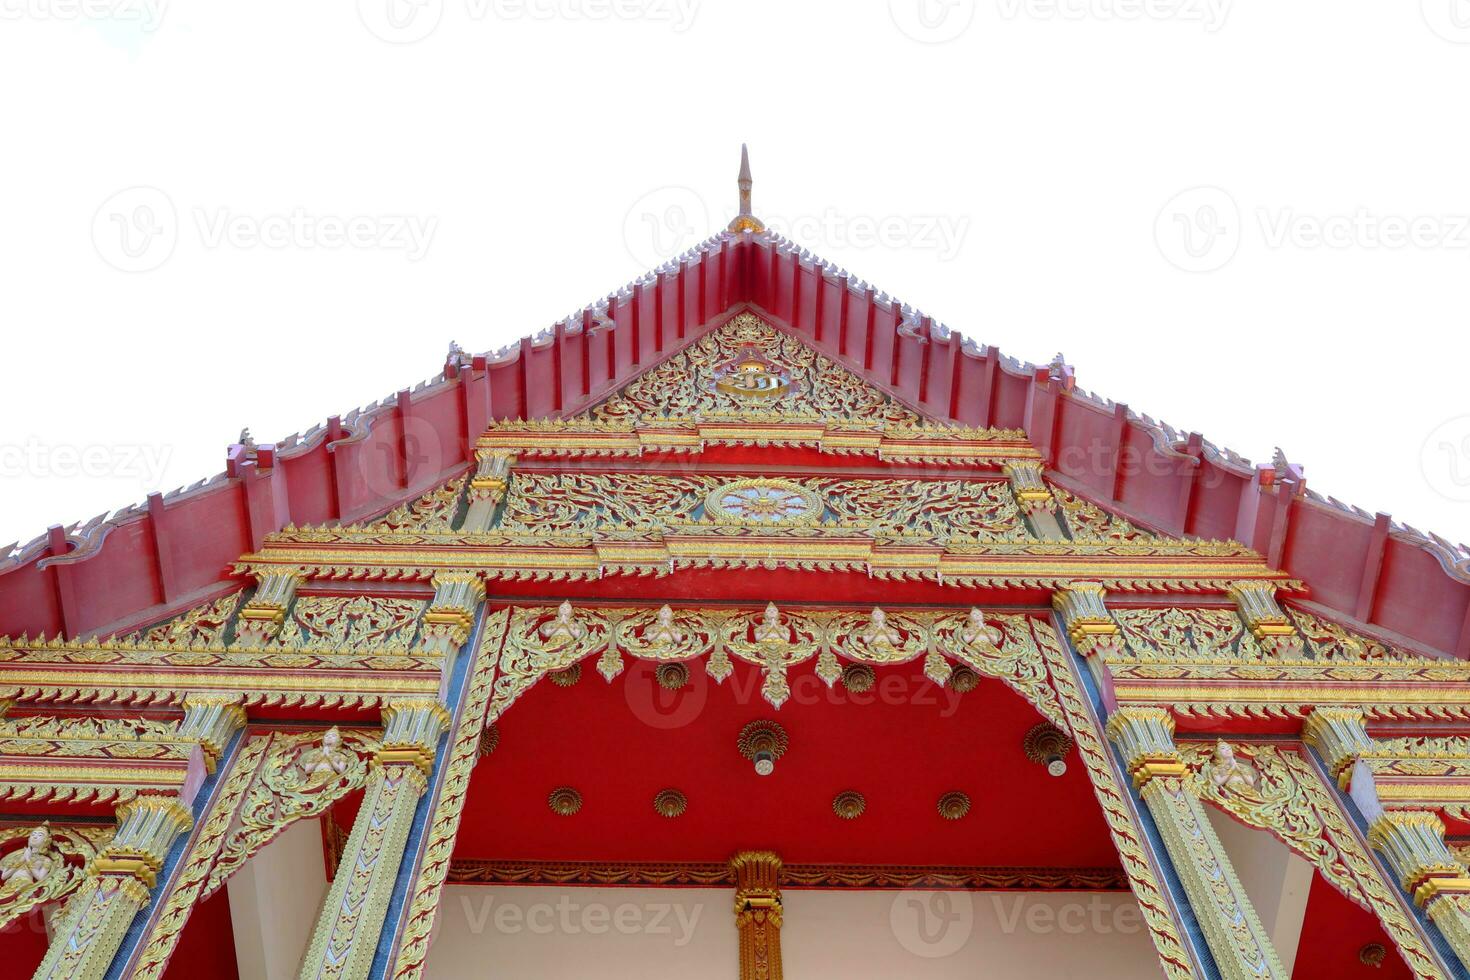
(680, 934)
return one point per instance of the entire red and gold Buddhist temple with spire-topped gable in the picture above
(747, 624)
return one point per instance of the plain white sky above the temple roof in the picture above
(515, 161)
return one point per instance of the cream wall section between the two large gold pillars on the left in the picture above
(274, 901)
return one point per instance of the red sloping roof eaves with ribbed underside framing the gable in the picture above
(151, 561)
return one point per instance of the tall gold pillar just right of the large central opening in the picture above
(1146, 738)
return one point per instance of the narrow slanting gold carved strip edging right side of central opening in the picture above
(1118, 810)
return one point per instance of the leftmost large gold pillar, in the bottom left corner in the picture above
(118, 885)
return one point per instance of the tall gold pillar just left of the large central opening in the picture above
(346, 937)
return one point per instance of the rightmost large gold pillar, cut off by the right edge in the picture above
(1413, 843)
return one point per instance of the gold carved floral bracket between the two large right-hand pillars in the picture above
(1287, 799)
